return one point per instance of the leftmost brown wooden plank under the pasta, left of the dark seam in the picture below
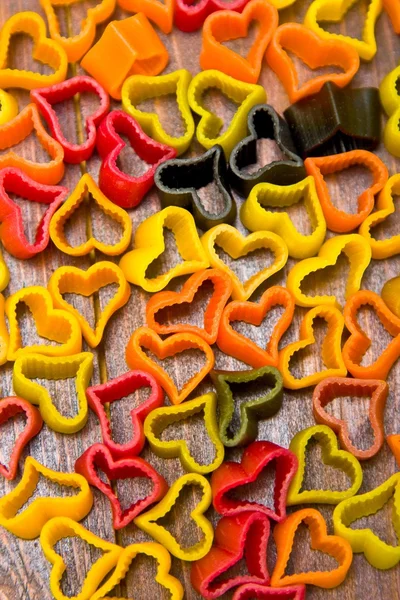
(24, 572)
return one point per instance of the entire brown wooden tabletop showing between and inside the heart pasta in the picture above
(24, 572)
